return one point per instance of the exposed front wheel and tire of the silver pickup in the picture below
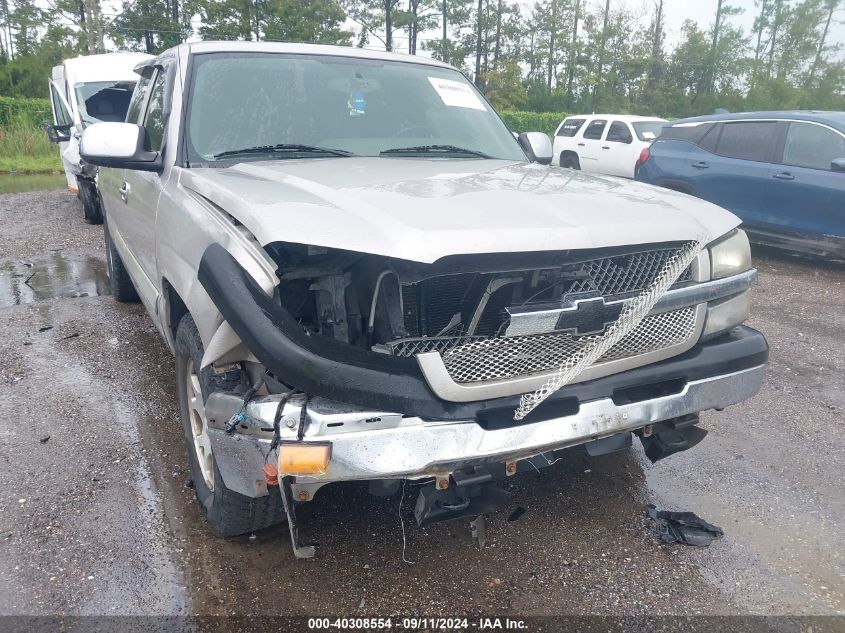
(228, 513)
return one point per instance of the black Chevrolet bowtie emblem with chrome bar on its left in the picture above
(580, 316)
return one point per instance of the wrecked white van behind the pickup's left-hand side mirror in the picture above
(84, 90)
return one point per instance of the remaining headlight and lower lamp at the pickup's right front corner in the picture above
(729, 255)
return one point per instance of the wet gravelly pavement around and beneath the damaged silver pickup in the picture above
(97, 515)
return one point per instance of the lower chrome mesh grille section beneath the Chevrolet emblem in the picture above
(483, 359)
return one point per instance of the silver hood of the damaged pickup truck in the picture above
(424, 209)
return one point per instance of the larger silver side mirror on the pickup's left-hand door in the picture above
(121, 145)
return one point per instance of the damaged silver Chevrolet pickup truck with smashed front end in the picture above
(363, 275)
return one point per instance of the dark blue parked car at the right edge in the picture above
(782, 173)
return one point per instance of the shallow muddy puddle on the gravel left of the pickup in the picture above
(51, 276)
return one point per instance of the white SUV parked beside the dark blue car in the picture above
(604, 143)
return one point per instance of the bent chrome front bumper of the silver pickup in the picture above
(379, 445)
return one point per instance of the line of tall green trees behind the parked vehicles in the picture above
(551, 56)
